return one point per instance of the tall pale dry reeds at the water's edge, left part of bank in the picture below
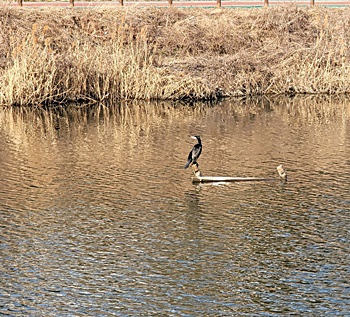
(122, 69)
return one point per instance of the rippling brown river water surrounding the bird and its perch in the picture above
(99, 218)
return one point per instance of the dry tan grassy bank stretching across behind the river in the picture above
(59, 55)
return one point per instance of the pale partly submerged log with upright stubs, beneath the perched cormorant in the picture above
(198, 178)
